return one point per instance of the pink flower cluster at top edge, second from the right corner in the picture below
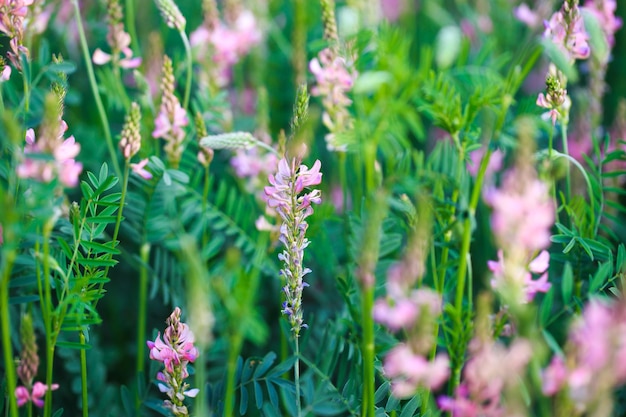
(567, 31)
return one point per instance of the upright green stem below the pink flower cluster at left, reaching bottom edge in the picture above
(50, 339)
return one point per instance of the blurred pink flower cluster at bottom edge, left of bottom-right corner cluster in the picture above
(491, 369)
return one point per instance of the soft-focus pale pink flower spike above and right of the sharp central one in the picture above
(333, 81)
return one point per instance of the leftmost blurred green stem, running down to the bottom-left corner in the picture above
(9, 364)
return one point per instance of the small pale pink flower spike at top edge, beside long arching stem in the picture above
(118, 40)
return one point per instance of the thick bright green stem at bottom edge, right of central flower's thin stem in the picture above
(368, 352)
